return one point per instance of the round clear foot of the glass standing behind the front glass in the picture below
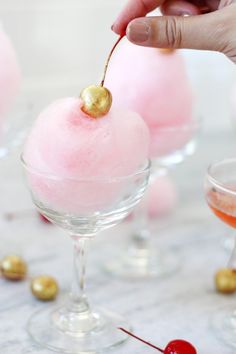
(143, 264)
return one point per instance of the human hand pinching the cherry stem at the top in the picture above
(214, 27)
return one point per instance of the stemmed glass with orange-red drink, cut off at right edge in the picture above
(220, 193)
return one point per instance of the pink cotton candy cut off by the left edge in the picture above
(10, 76)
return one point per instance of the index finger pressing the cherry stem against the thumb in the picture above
(134, 9)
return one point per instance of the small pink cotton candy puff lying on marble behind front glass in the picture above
(162, 197)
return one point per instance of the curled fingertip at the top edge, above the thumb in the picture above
(180, 8)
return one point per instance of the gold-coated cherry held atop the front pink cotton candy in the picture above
(97, 101)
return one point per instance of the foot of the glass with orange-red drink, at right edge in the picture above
(224, 324)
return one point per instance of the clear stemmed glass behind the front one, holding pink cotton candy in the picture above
(170, 145)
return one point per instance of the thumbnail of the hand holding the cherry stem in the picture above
(138, 31)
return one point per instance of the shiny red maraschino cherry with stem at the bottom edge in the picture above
(177, 346)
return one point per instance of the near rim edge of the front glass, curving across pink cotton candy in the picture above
(144, 169)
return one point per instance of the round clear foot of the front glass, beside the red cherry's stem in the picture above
(105, 334)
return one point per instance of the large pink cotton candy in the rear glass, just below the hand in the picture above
(155, 84)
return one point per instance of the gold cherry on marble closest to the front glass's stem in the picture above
(44, 288)
